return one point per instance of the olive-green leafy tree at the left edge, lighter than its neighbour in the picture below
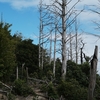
(7, 52)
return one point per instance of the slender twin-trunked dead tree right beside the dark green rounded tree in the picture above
(42, 36)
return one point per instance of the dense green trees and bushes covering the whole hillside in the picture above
(15, 51)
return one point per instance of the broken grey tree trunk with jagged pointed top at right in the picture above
(93, 70)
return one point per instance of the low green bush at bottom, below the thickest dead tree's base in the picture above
(71, 90)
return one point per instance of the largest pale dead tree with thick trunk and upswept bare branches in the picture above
(66, 19)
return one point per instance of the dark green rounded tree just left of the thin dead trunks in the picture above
(27, 52)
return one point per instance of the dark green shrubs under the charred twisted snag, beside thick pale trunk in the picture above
(78, 72)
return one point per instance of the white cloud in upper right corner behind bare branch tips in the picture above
(86, 15)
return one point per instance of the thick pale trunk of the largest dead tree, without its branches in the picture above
(64, 60)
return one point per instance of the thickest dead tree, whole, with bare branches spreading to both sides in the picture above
(65, 18)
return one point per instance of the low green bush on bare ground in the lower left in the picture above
(21, 88)
